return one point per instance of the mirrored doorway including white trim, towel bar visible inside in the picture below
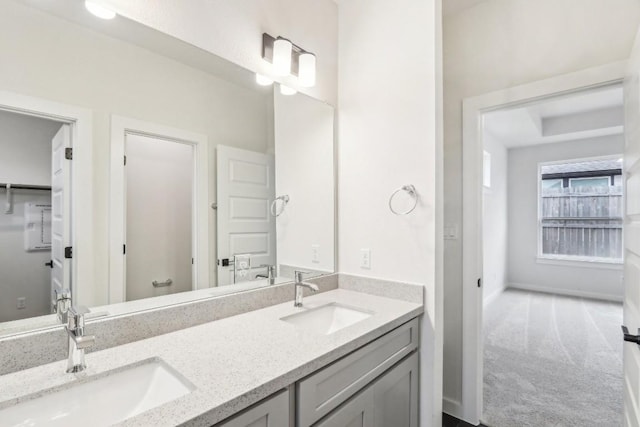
(158, 211)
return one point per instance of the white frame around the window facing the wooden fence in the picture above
(576, 260)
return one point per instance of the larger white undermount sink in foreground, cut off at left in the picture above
(103, 401)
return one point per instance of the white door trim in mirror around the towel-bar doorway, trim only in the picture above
(120, 128)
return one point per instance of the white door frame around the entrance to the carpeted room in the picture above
(470, 408)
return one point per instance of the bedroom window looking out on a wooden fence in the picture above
(581, 210)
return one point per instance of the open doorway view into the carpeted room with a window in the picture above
(551, 260)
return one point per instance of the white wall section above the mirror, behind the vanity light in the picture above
(233, 30)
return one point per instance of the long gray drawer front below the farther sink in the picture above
(325, 390)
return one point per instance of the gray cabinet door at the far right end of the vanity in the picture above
(395, 395)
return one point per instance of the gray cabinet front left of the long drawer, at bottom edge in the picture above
(272, 412)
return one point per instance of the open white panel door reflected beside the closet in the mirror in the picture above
(60, 211)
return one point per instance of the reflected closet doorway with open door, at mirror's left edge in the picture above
(35, 182)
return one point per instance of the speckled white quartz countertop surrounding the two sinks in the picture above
(233, 362)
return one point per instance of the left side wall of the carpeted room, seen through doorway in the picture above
(494, 217)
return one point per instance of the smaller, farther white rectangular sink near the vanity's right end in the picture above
(328, 318)
